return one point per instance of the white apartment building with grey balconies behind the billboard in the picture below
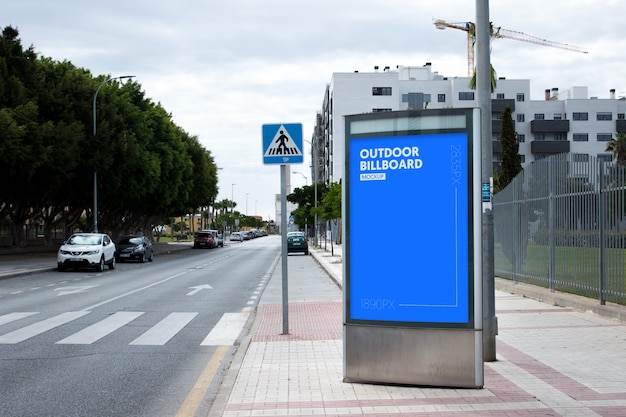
(562, 122)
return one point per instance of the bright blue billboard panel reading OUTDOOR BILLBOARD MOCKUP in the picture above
(410, 229)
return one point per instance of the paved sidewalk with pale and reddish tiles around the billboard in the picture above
(551, 360)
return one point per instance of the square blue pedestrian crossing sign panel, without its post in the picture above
(282, 144)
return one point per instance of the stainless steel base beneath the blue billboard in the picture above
(413, 356)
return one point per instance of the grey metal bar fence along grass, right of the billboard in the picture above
(561, 224)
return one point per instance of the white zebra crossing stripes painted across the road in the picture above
(225, 332)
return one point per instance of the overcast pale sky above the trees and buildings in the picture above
(225, 68)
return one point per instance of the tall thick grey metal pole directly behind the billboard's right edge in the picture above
(483, 88)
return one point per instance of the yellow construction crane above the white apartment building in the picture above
(498, 32)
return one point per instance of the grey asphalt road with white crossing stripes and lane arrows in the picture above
(150, 339)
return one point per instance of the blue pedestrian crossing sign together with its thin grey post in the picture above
(282, 145)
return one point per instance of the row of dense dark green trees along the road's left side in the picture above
(149, 169)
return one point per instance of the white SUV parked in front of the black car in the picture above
(87, 250)
